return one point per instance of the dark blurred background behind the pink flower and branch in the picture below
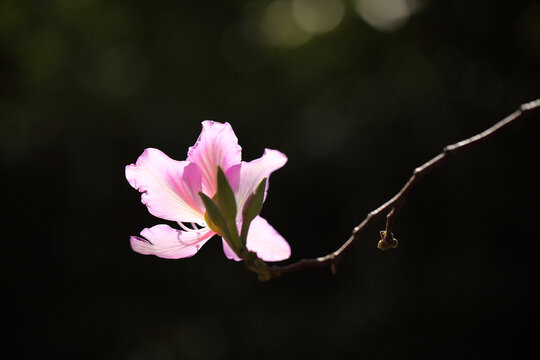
(86, 85)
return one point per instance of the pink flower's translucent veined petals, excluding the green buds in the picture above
(170, 189)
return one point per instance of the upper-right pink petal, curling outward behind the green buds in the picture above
(245, 177)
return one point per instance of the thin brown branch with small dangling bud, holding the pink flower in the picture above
(392, 207)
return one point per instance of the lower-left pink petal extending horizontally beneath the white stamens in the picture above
(166, 242)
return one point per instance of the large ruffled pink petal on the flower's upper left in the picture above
(170, 188)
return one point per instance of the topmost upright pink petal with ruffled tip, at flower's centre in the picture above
(217, 146)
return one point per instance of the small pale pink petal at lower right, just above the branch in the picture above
(266, 241)
